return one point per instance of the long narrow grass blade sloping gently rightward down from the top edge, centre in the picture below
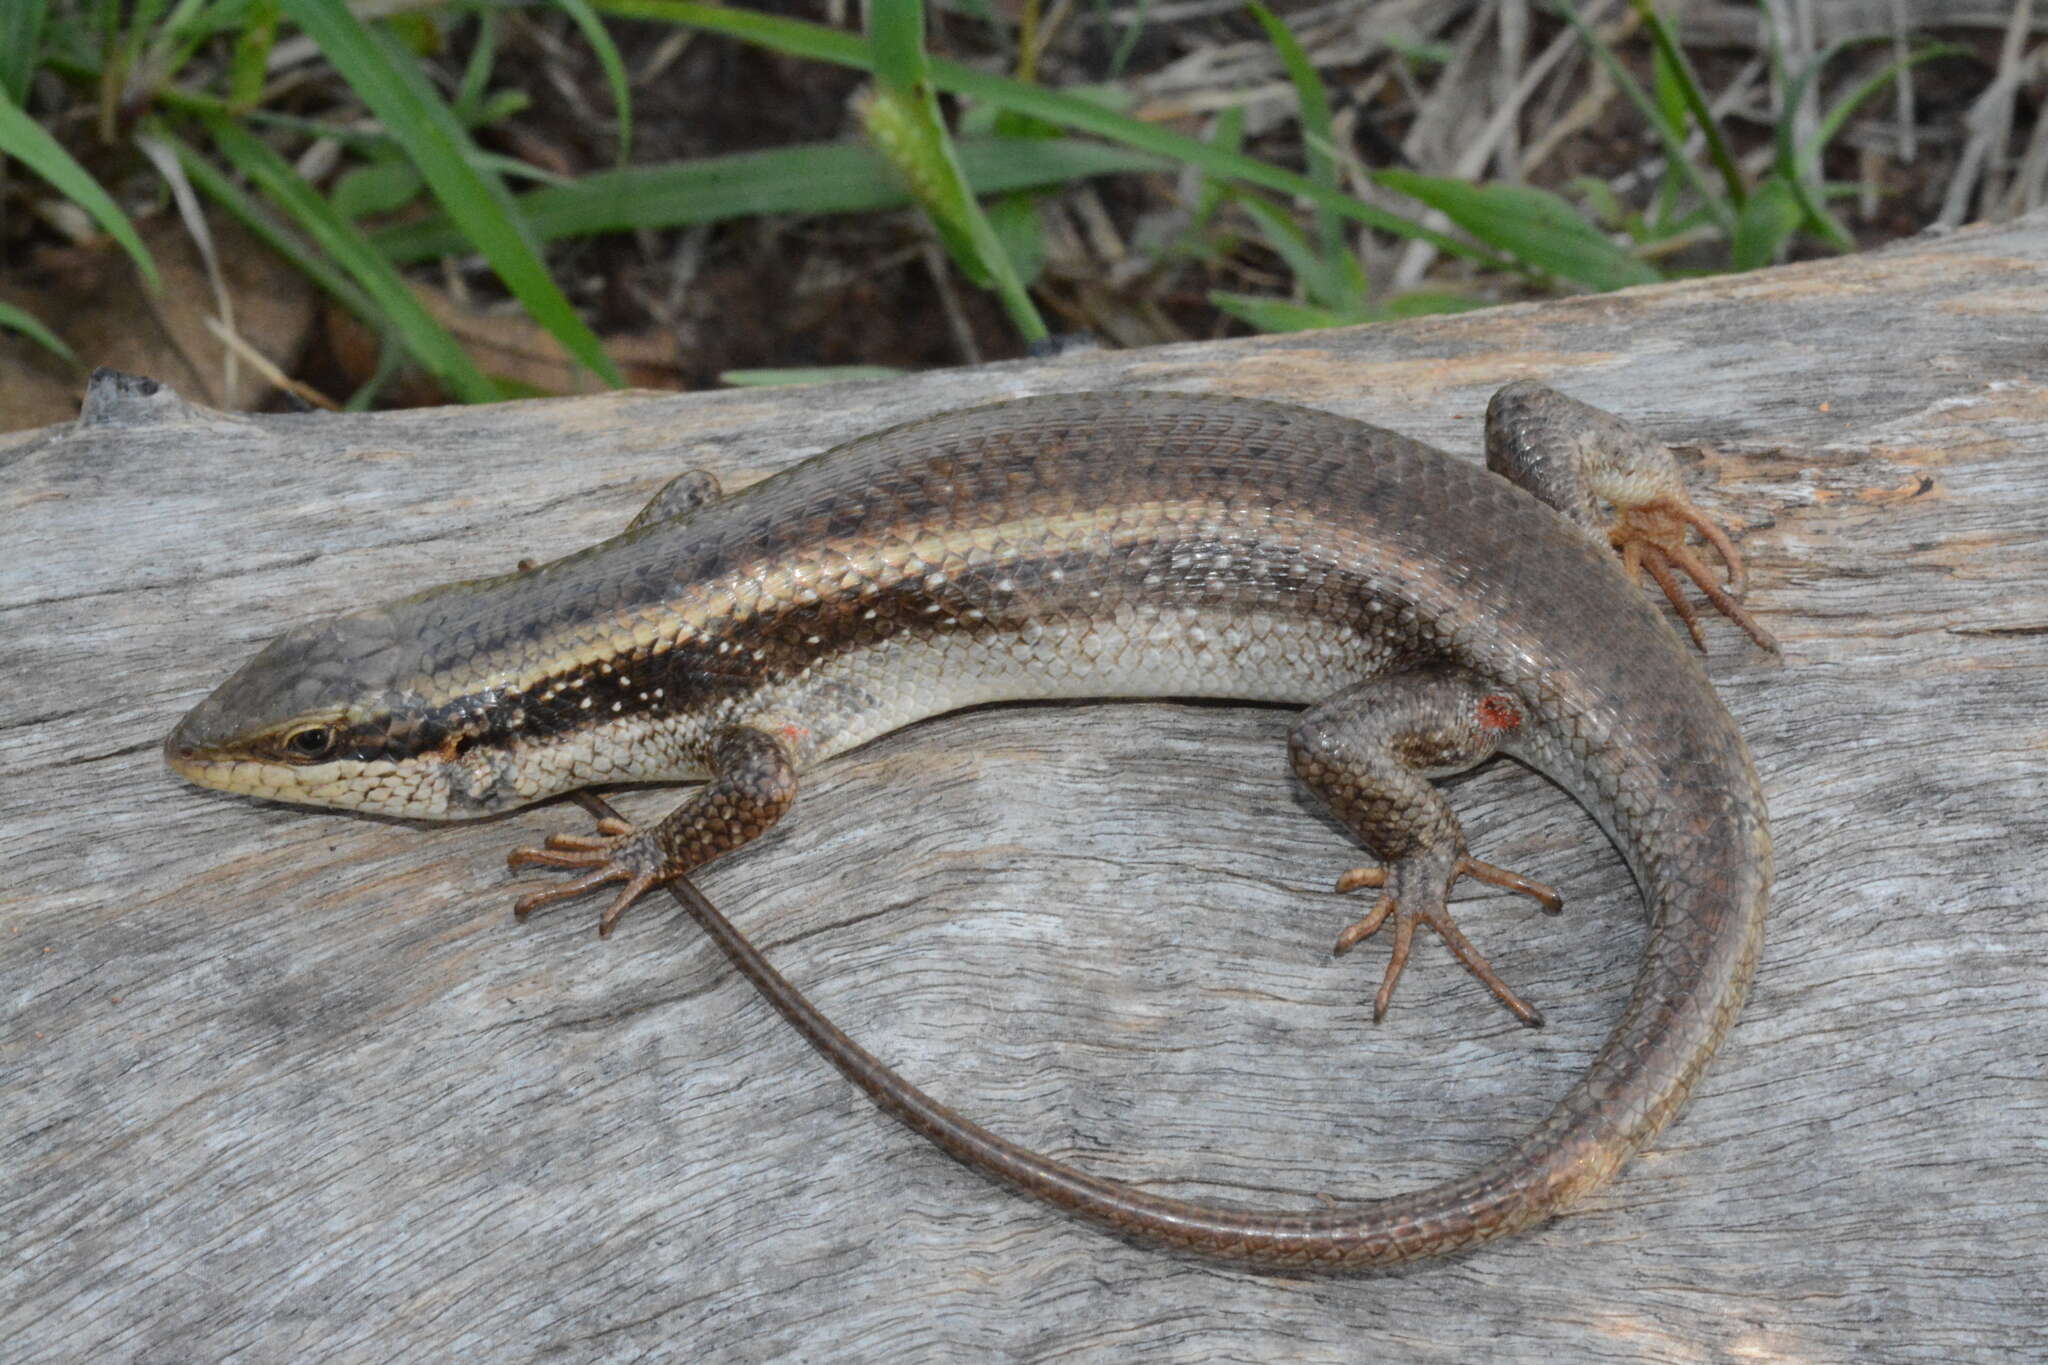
(820, 44)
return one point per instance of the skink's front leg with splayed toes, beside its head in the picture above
(753, 783)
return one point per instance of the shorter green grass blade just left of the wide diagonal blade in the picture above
(394, 304)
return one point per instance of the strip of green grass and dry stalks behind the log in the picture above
(294, 202)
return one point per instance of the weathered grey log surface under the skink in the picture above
(294, 1086)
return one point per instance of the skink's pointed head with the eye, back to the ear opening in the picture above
(339, 715)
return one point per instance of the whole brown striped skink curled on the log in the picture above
(1111, 545)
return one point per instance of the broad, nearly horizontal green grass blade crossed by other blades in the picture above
(816, 179)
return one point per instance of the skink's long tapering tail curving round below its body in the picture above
(1705, 938)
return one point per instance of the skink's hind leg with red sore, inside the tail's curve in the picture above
(1371, 752)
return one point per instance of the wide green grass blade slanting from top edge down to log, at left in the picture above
(396, 91)
